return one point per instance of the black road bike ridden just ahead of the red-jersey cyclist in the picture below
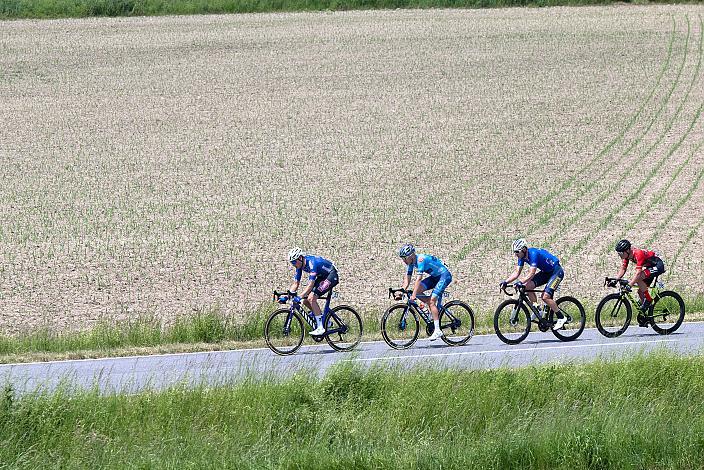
(512, 320)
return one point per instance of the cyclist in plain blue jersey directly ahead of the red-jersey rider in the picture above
(550, 275)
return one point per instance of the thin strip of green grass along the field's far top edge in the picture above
(88, 8)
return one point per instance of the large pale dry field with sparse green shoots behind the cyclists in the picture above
(165, 165)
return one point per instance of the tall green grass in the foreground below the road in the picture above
(641, 413)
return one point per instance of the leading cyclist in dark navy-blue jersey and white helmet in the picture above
(322, 277)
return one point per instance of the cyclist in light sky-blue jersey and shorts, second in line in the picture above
(439, 277)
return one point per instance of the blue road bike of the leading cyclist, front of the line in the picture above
(284, 330)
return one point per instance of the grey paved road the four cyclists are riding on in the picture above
(131, 374)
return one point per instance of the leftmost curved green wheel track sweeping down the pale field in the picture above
(566, 185)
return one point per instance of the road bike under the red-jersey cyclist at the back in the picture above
(614, 312)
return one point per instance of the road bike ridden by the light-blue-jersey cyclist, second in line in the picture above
(400, 325)
